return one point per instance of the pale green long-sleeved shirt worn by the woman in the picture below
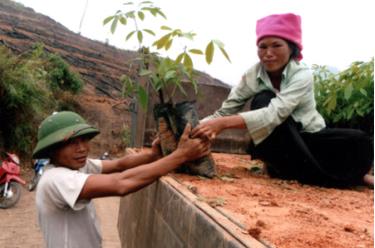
(295, 98)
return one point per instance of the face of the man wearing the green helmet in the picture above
(72, 153)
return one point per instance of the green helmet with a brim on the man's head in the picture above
(60, 127)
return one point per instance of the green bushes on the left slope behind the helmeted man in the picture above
(26, 95)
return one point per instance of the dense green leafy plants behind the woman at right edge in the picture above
(346, 98)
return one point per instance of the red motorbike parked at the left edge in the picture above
(10, 181)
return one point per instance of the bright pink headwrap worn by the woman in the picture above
(286, 26)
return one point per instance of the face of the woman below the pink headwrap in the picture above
(274, 53)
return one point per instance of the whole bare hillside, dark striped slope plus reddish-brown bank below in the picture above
(99, 64)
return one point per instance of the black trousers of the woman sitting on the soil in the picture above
(331, 157)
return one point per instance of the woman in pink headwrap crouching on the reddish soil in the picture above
(287, 131)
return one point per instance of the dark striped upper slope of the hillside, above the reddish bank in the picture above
(100, 64)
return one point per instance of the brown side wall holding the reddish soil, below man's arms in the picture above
(167, 215)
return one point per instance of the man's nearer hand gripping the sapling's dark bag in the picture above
(192, 148)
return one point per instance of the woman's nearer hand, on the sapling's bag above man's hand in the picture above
(208, 129)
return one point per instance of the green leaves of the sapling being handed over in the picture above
(160, 72)
